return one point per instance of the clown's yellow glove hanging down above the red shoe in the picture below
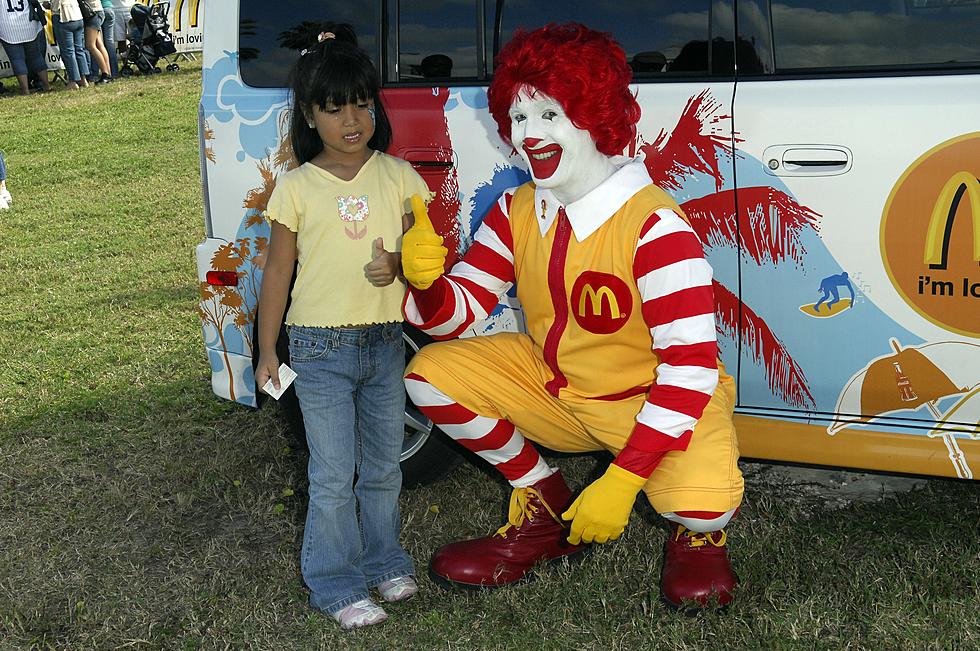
(601, 512)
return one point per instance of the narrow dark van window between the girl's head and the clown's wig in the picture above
(437, 40)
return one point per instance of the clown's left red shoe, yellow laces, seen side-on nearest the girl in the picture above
(533, 534)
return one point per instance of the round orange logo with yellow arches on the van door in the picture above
(930, 235)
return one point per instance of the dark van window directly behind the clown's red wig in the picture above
(659, 37)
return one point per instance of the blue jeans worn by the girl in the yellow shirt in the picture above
(350, 388)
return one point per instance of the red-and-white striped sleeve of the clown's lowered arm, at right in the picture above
(674, 282)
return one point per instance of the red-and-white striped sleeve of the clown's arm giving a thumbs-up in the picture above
(458, 299)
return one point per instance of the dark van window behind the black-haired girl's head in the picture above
(271, 34)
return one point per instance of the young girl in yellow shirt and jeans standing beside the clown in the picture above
(336, 214)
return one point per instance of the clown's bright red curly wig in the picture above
(585, 70)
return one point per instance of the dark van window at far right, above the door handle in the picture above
(848, 34)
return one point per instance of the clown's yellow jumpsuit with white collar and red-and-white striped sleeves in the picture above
(620, 352)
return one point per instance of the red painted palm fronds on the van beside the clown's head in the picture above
(767, 227)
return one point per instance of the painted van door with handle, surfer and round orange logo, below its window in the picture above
(882, 329)
